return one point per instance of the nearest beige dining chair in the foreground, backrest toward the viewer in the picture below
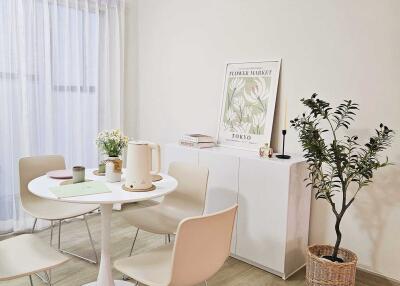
(201, 247)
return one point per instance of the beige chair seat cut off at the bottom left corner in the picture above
(25, 255)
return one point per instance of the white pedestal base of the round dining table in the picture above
(104, 277)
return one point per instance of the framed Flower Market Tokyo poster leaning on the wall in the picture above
(248, 104)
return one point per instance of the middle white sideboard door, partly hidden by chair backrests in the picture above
(222, 188)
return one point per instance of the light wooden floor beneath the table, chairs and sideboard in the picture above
(76, 272)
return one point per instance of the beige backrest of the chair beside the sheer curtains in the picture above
(36, 166)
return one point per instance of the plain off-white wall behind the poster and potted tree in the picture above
(341, 49)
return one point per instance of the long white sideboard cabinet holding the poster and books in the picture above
(271, 230)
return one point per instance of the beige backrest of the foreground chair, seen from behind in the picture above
(201, 247)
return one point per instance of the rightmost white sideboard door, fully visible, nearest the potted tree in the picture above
(261, 226)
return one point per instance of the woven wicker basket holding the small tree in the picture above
(322, 272)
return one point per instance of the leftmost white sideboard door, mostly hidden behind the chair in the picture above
(176, 153)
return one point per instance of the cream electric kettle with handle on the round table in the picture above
(139, 164)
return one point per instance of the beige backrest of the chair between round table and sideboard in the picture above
(190, 194)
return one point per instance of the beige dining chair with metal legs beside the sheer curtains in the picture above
(33, 167)
